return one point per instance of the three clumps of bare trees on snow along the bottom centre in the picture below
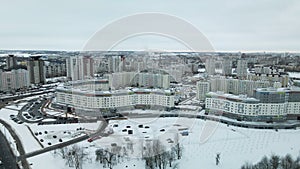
(153, 152)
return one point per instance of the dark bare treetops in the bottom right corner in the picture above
(275, 162)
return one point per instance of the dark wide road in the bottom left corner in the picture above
(6, 155)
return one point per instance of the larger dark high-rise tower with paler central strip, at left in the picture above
(35, 67)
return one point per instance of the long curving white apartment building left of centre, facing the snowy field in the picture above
(82, 97)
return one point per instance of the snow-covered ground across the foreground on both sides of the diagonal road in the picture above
(236, 145)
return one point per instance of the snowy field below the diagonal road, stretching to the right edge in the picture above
(236, 145)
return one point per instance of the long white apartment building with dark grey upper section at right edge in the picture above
(267, 102)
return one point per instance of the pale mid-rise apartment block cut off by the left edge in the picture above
(14, 79)
